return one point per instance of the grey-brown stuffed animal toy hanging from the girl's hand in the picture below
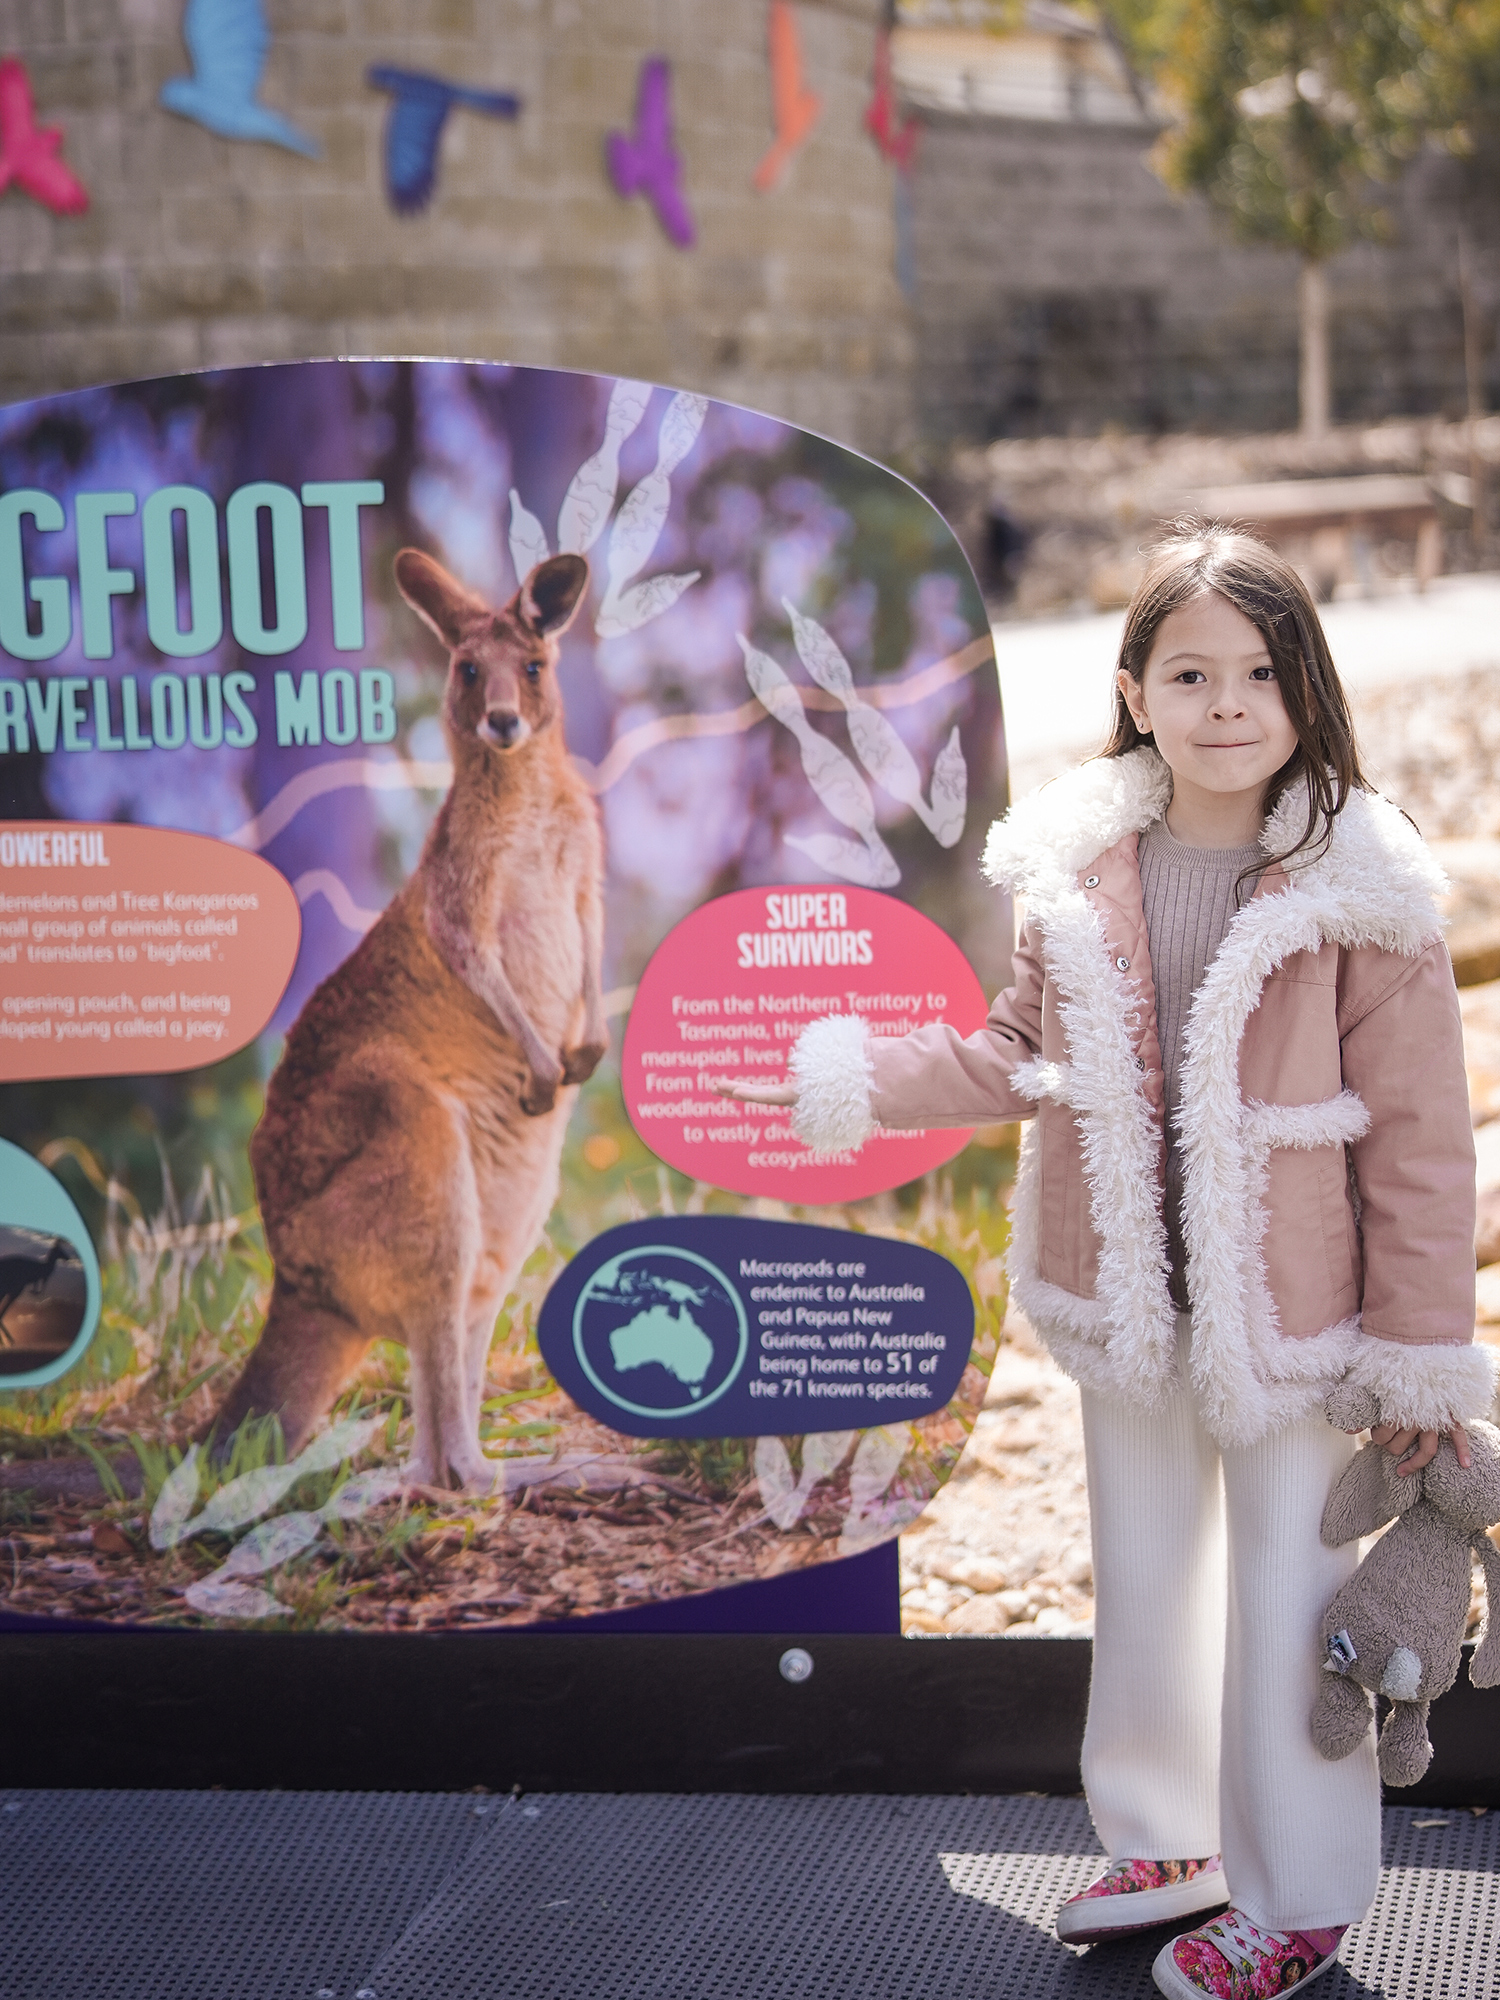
(1397, 1627)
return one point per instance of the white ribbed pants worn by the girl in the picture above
(1209, 1589)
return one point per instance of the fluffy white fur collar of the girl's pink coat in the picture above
(1377, 883)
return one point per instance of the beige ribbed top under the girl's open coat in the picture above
(1189, 897)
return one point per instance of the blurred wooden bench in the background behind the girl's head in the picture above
(1325, 527)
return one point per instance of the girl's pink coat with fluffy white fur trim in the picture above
(1327, 1147)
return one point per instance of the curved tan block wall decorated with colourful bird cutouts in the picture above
(201, 251)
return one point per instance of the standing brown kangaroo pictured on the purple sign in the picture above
(409, 1153)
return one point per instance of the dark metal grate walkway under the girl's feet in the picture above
(595, 1897)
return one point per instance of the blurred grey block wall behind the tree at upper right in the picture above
(1061, 287)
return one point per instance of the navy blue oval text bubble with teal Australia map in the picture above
(721, 1327)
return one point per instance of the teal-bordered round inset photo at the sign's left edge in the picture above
(49, 1275)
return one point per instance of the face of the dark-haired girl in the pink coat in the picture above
(1211, 699)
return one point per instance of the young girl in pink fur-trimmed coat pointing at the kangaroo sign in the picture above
(1249, 1177)
